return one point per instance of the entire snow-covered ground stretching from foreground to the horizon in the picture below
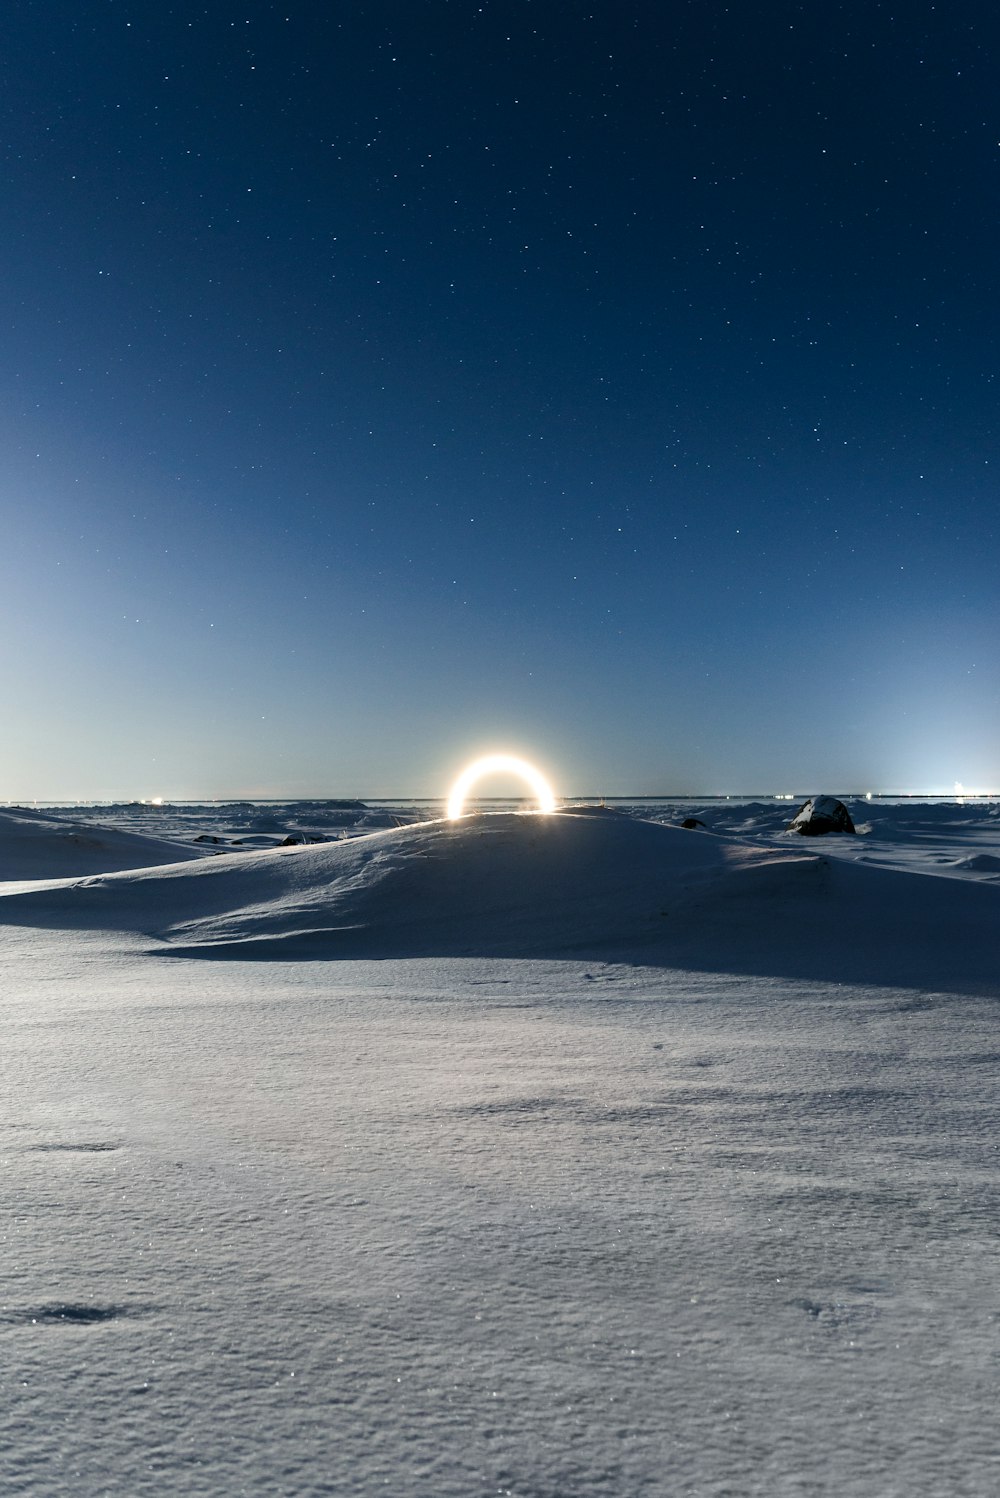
(550, 1157)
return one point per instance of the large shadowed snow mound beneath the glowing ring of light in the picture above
(580, 883)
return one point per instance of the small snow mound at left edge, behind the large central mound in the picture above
(40, 847)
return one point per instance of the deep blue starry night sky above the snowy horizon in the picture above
(613, 384)
